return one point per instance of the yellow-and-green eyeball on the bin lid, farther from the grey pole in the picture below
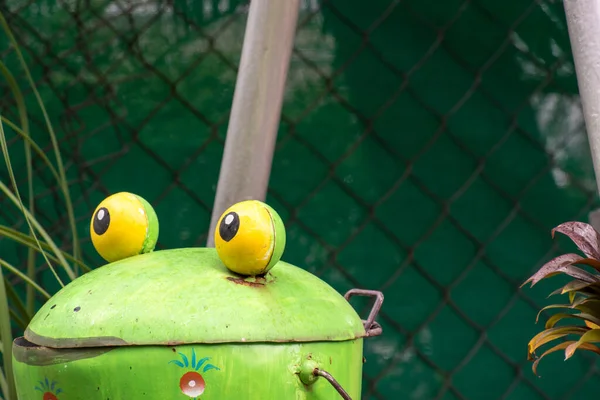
(123, 225)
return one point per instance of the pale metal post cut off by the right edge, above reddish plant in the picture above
(583, 21)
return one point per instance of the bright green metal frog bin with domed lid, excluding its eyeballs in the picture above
(177, 324)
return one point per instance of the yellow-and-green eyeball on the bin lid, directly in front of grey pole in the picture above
(250, 238)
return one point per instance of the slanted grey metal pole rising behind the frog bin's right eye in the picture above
(256, 108)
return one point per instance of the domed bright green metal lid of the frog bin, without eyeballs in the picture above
(183, 296)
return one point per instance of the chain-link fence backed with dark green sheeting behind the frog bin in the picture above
(426, 149)
